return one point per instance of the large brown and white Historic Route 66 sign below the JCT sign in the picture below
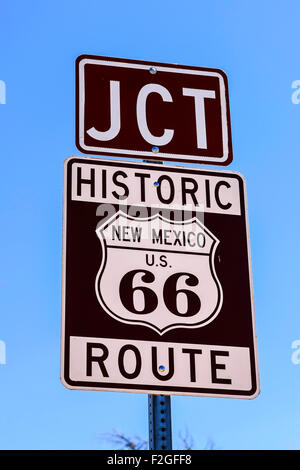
(157, 290)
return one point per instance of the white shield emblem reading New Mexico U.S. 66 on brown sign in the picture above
(157, 272)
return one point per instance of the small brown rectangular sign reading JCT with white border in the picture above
(144, 109)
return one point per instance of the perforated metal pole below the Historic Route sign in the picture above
(160, 429)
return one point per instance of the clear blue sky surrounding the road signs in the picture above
(256, 44)
